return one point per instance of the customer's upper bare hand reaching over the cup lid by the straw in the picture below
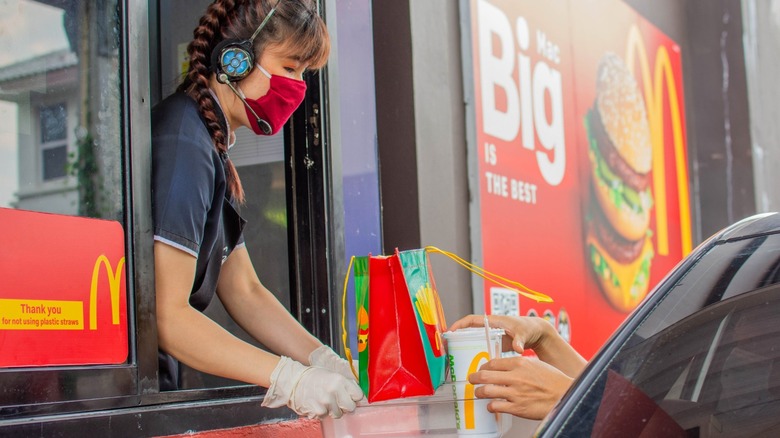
(520, 332)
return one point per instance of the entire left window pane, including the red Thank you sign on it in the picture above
(61, 149)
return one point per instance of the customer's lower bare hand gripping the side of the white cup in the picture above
(522, 386)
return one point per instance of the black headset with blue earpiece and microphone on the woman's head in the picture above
(234, 59)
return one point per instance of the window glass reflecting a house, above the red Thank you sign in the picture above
(60, 137)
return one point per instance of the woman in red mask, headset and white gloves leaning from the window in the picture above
(247, 58)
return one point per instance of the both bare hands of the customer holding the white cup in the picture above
(523, 386)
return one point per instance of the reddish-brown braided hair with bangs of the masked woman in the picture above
(295, 26)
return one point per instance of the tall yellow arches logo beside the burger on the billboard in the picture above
(653, 90)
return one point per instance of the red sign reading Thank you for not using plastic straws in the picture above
(63, 298)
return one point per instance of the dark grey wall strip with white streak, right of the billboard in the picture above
(719, 121)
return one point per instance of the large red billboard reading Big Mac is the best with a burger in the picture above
(581, 158)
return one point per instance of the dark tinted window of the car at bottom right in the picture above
(705, 362)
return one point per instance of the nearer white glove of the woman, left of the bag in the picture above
(311, 391)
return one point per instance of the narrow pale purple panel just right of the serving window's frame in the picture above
(355, 135)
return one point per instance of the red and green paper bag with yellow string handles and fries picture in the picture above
(400, 322)
